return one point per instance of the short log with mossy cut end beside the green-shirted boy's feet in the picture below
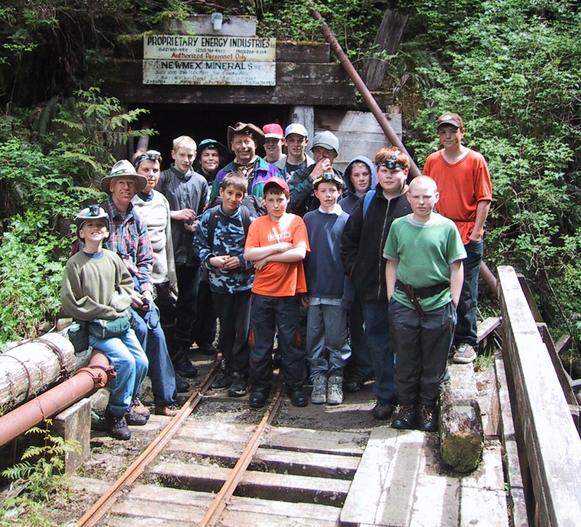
(461, 431)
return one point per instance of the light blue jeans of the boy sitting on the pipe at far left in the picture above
(130, 363)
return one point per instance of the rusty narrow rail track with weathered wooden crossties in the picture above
(215, 473)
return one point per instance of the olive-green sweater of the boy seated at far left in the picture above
(96, 286)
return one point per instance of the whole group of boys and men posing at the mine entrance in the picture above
(355, 275)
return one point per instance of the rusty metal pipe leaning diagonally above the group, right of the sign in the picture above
(362, 88)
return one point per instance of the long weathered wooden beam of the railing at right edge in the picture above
(551, 440)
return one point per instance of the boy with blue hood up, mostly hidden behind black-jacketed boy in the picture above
(360, 176)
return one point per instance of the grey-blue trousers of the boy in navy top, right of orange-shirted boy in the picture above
(327, 348)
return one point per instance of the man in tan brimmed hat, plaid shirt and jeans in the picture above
(130, 240)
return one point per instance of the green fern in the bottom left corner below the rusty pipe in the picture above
(40, 472)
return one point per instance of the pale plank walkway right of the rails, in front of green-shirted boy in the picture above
(406, 488)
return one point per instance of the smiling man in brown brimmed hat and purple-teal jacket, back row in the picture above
(243, 140)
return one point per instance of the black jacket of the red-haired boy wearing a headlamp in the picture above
(363, 241)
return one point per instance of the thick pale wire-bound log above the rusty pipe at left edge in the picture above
(31, 367)
